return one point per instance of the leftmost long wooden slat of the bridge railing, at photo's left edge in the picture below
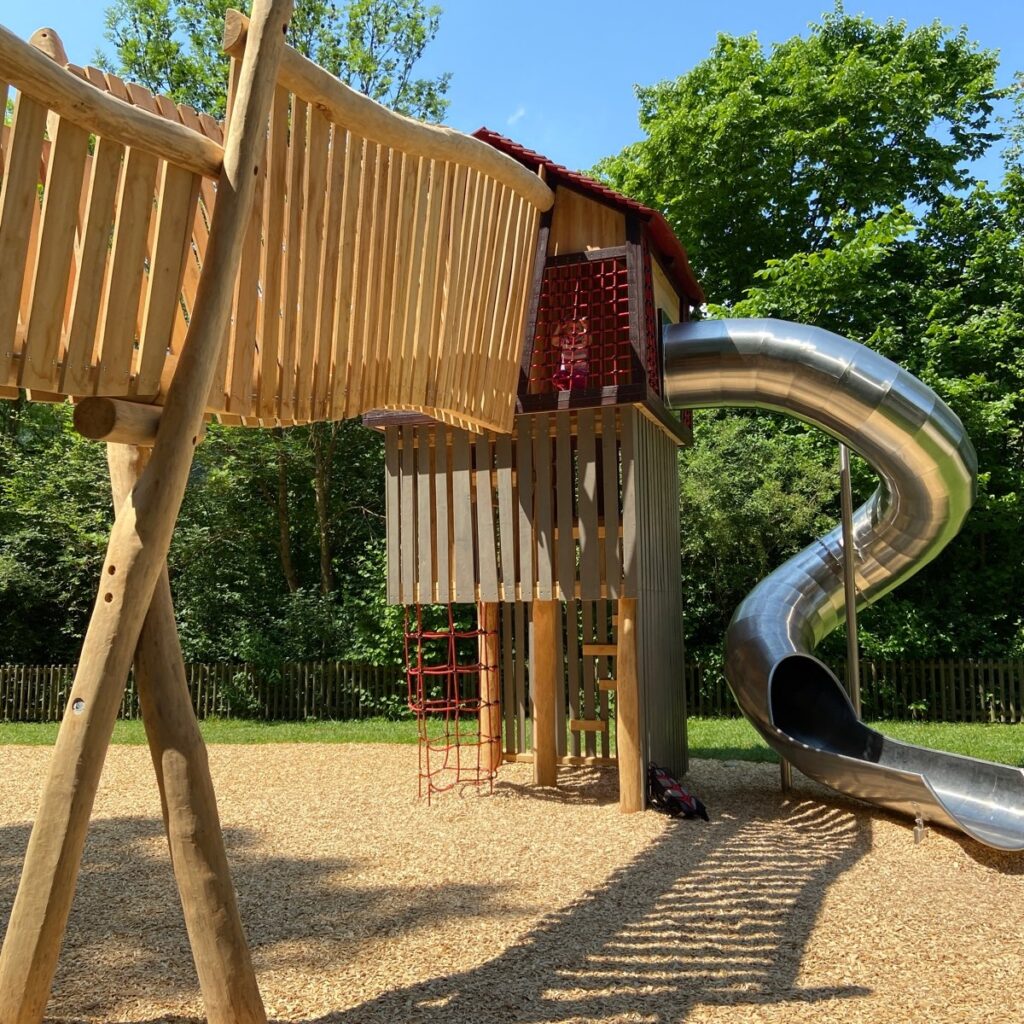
(19, 204)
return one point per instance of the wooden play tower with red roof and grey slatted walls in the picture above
(566, 532)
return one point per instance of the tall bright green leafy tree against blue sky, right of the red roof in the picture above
(754, 155)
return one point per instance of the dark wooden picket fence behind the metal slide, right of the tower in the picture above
(964, 690)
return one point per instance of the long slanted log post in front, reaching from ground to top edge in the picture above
(136, 558)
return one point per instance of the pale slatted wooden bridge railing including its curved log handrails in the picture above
(387, 264)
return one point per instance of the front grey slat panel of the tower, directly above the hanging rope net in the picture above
(554, 526)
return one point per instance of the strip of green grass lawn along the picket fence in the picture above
(723, 739)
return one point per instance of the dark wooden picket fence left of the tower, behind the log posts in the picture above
(290, 692)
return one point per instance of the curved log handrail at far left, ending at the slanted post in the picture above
(32, 71)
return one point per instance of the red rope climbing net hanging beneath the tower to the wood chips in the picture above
(444, 665)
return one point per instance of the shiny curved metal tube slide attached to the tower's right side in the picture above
(928, 468)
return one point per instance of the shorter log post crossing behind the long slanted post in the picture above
(190, 805)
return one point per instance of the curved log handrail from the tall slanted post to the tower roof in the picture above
(364, 116)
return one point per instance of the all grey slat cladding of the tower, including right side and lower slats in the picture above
(577, 506)
